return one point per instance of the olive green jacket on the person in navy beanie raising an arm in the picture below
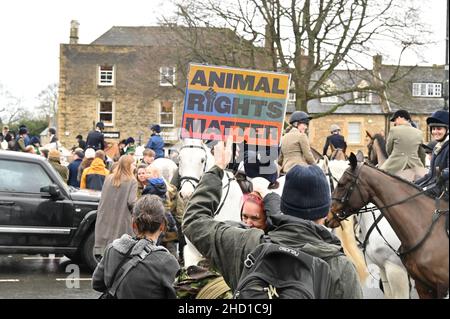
(227, 246)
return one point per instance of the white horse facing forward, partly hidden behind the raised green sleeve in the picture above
(195, 158)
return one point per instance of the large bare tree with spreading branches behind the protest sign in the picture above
(309, 39)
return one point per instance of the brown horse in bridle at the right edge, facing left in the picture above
(413, 215)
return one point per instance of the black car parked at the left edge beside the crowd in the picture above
(41, 214)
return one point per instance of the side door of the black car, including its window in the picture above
(27, 217)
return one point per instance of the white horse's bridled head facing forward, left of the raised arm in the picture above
(194, 160)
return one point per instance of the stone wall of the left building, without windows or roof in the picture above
(136, 94)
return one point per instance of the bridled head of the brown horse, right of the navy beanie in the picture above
(348, 197)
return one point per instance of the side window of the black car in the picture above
(22, 177)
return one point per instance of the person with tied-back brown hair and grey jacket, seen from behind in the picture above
(153, 276)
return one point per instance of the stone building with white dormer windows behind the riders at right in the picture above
(417, 89)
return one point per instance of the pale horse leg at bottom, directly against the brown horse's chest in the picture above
(397, 279)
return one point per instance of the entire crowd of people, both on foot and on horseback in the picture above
(135, 213)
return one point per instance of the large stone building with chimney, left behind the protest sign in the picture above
(133, 77)
